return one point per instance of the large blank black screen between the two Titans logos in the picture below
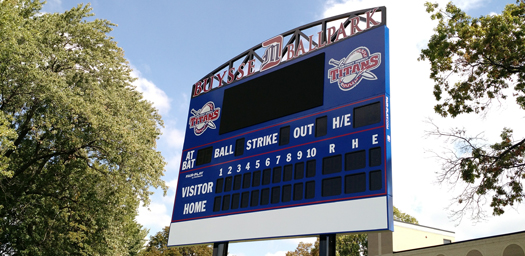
(274, 95)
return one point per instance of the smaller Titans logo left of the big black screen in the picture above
(204, 117)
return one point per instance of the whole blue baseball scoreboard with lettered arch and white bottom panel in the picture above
(291, 143)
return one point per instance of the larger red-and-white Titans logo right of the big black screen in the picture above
(348, 72)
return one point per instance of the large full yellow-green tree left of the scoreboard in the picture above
(78, 141)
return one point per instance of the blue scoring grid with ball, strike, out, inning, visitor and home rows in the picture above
(245, 188)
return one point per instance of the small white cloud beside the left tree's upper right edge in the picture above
(151, 92)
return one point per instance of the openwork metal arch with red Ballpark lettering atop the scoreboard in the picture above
(298, 44)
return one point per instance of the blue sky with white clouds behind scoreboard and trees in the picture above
(172, 44)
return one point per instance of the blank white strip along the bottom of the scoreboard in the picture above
(337, 217)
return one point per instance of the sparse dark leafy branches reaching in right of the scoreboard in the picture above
(476, 62)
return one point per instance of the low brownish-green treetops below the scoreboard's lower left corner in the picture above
(158, 245)
